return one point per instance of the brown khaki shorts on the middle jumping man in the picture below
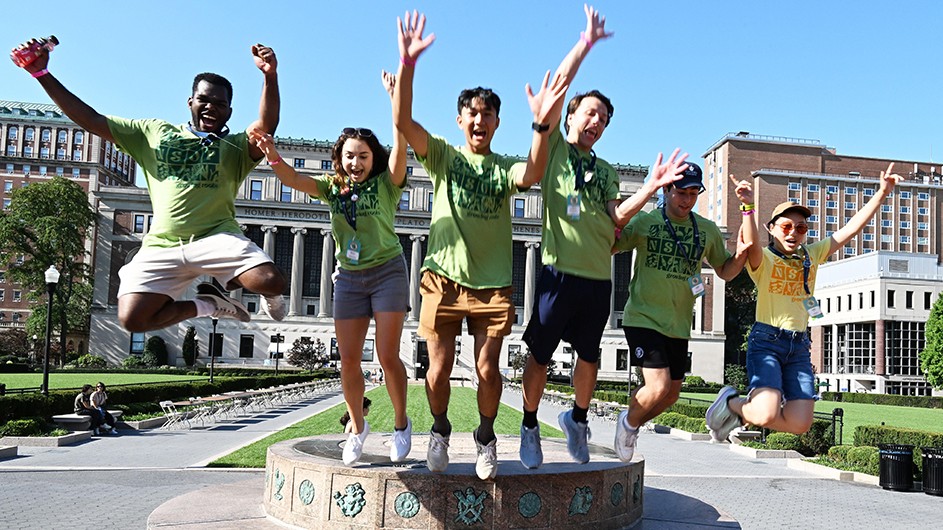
(445, 304)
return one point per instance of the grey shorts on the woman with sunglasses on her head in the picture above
(380, 289)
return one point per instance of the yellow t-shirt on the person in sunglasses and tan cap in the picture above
(779, 286)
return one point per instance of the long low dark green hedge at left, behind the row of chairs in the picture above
(17, 406)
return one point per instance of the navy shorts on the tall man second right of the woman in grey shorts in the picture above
(568, 308)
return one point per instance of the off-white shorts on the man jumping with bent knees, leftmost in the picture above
(170, 271)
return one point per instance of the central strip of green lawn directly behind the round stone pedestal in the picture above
(463, 413)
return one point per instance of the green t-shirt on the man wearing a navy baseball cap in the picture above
(660, 297)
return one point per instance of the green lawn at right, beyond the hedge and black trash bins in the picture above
(866, 414)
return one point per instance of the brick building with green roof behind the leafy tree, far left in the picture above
(38, 142)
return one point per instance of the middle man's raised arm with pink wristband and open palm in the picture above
(411, 46)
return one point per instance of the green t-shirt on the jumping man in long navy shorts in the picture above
(581, 247)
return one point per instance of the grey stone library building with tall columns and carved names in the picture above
(295, 231)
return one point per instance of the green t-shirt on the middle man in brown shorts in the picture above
(470, 235)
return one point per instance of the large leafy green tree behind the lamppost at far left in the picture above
(47, 224)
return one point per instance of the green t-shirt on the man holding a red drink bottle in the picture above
(192, 186)
